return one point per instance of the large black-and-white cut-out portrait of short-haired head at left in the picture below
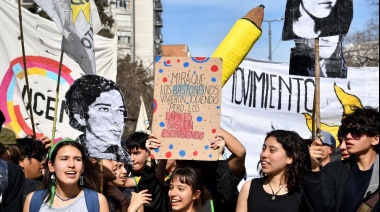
(96, 107)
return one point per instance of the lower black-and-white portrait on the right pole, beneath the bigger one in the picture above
(302, 58)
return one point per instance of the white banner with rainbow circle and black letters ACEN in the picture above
(43, 48)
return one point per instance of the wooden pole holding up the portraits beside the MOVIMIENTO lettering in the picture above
(316, 128)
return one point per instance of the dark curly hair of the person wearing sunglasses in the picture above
(366, 118)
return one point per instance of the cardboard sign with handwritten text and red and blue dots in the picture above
(186, 114)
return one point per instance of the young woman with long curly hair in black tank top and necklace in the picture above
(283, 160)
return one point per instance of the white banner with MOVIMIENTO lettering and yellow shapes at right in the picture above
(261, 97)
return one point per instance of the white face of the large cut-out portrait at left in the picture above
(106, 116)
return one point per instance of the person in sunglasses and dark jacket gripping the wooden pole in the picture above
(352, 184)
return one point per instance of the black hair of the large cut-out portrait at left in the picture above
(83, 92)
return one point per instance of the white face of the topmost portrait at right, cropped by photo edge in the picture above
(319, 8)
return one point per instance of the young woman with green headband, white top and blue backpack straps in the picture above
(65, 180)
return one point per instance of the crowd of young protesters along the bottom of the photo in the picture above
(296, 174)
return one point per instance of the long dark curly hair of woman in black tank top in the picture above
(296, 148)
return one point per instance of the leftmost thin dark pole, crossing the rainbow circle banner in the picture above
(29, 105)
